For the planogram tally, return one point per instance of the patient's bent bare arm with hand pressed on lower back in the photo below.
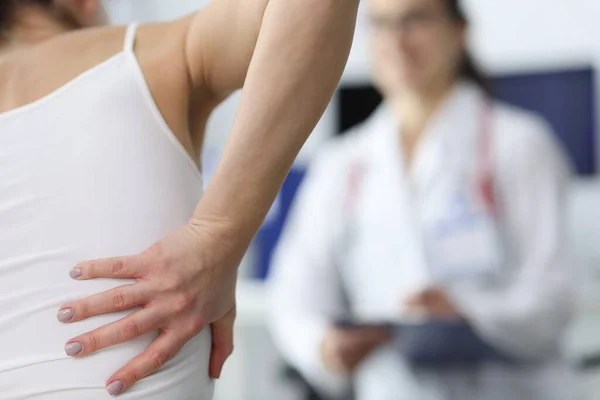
(188, 278)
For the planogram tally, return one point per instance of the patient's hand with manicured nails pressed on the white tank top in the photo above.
(183, 284)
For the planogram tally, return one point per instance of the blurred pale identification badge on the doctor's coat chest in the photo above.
(464, 242)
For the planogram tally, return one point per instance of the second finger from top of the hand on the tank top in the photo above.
(114, 300)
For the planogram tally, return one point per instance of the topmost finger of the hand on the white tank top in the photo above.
(130, 267)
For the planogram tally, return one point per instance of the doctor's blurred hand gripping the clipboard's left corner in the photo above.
(343, 349)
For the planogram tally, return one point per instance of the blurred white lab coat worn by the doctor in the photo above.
(524, 310)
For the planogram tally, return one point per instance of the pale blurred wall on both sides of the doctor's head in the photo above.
(515, 34)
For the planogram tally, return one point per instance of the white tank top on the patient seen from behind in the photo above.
(89, 171)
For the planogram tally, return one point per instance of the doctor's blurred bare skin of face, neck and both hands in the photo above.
(415, 50)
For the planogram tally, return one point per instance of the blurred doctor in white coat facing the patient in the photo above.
(443, 202)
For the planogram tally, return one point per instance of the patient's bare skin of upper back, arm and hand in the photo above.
(289, 56)
